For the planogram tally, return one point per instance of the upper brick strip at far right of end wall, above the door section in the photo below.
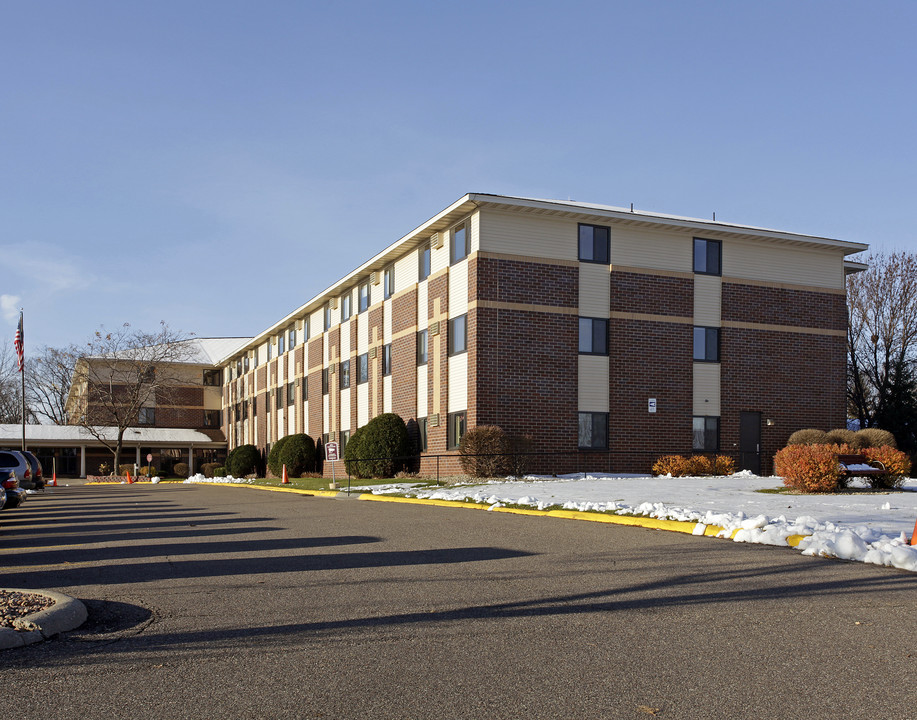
(800, 308)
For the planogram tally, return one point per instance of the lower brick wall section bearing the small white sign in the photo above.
(649, 360)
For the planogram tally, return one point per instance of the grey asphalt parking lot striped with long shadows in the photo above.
(224, 602)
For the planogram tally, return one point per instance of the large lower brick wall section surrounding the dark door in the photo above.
(795, 379)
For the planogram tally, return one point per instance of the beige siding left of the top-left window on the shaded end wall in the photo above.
(532, 236)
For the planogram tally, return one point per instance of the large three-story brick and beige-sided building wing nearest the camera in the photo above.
(607, 335)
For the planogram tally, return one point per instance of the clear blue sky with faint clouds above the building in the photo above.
(215, 164)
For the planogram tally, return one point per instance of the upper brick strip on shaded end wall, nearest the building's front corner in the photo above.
(522, 282)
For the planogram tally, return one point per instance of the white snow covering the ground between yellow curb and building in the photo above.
(869, 527)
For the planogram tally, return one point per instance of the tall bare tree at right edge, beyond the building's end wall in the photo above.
(882, 345)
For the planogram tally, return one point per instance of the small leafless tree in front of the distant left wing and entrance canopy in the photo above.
(121, 378)
